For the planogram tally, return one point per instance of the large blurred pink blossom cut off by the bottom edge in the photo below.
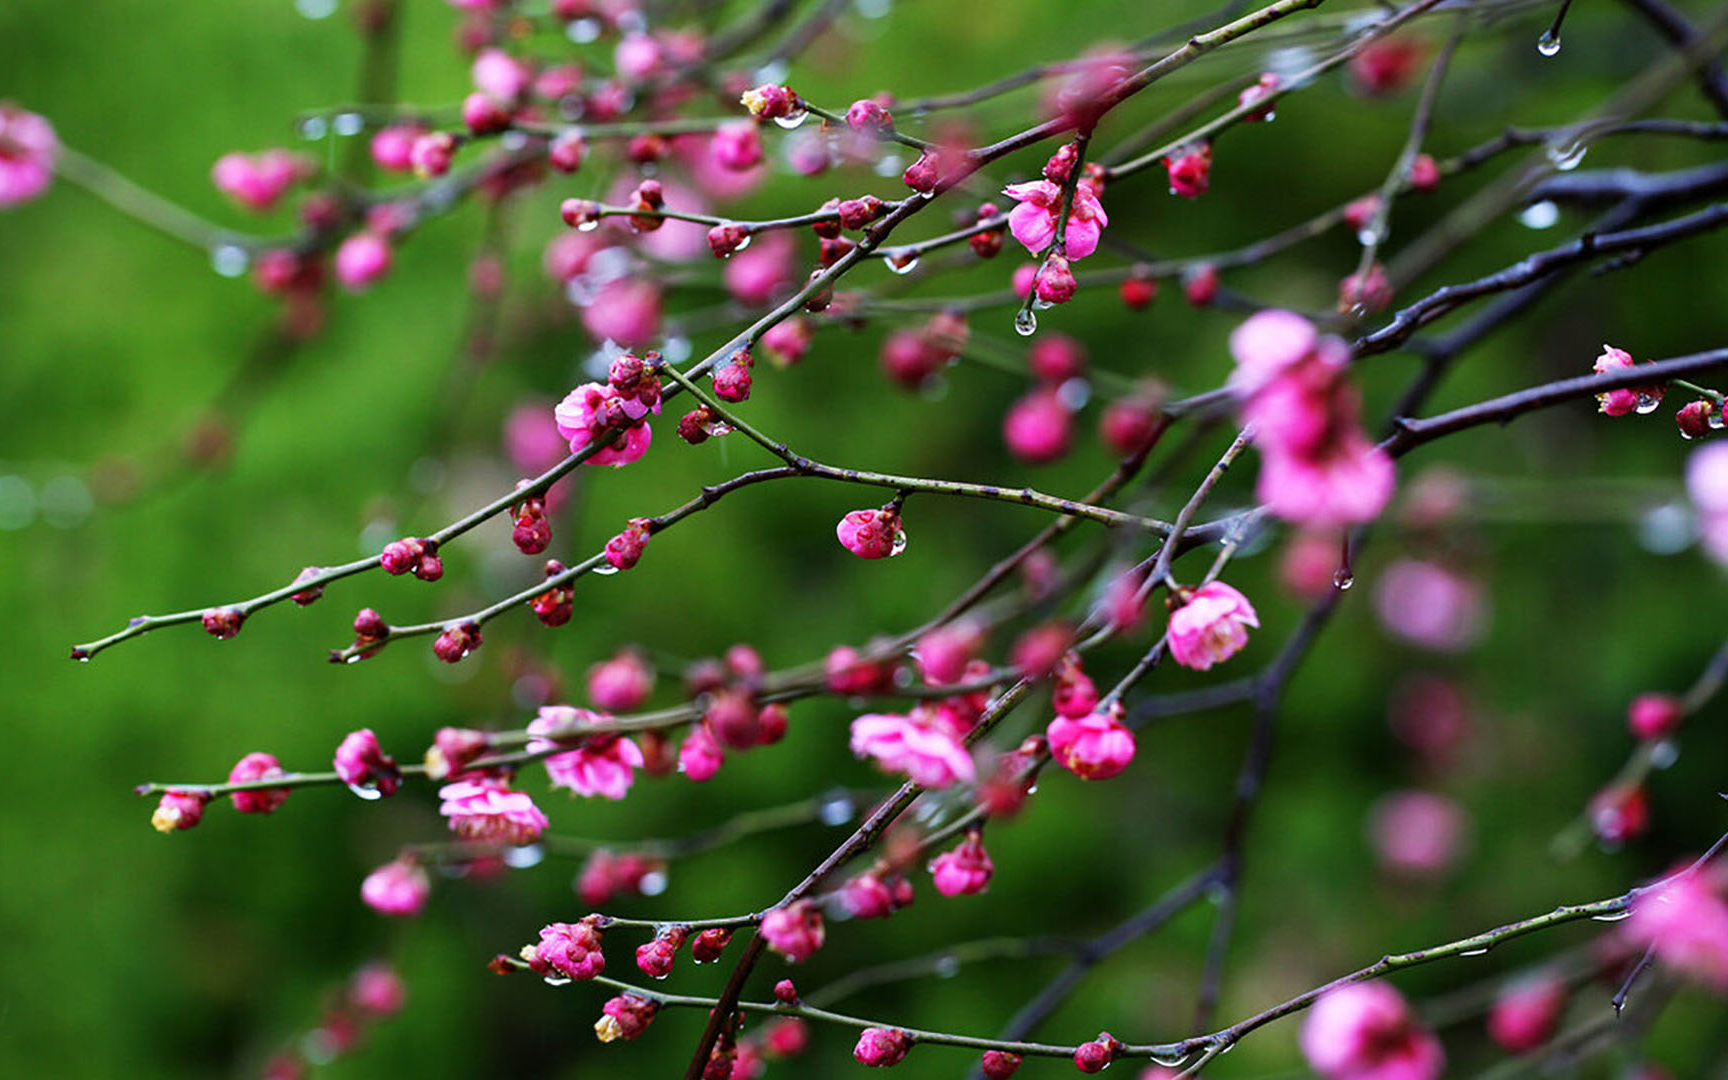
(1366, 1032)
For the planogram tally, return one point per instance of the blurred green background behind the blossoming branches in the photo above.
(203, 955)
